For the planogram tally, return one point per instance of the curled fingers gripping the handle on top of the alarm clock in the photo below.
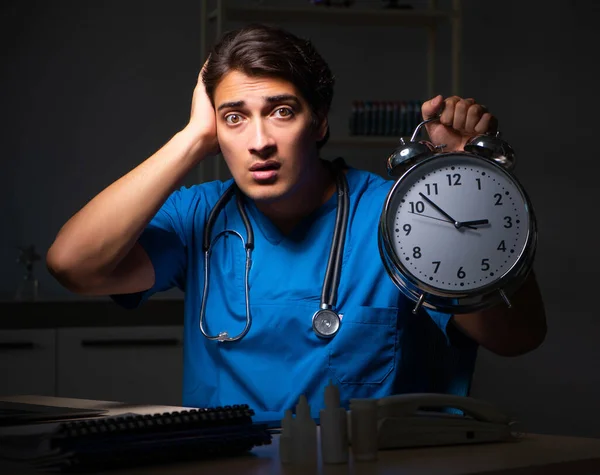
(467, 117)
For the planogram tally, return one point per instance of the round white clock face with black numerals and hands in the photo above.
(458, 223)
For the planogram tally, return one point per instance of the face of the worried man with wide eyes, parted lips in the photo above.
(265, 135)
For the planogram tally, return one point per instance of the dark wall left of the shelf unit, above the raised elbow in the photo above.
(88, 90)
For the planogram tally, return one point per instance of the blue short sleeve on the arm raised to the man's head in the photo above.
(164, 240)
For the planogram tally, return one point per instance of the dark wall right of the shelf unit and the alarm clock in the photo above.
(532, 61)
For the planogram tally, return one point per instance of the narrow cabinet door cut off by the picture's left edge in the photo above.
(27, 362)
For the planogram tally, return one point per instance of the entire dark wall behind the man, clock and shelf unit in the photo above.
(89, 89)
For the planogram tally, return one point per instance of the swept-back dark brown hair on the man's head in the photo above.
(269, 51)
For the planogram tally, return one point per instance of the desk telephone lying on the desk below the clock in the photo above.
(418, 419)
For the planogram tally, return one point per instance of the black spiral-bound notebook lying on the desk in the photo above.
(134, 439)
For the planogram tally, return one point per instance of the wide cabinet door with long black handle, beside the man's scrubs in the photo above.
(141, 365)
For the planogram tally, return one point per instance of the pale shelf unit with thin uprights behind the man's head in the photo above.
(217, 13)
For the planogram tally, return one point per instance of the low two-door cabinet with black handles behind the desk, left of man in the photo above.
(142, 365)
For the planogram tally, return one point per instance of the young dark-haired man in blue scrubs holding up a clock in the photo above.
(262, 100)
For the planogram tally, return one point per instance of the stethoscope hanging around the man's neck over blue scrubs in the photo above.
(326, 321)
